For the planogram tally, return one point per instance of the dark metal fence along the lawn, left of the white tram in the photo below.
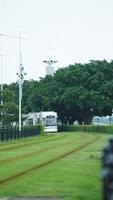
(13, 133)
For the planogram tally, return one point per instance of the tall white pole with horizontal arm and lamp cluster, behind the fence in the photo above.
(20, 73)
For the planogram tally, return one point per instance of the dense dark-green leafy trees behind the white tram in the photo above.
(77, 92)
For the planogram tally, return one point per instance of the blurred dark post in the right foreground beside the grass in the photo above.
(107, 164)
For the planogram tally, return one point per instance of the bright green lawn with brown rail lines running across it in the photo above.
(64, 165)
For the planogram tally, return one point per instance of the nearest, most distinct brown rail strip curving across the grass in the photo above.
(49, 161)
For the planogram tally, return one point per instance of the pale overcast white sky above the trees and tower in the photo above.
(78, 31)
